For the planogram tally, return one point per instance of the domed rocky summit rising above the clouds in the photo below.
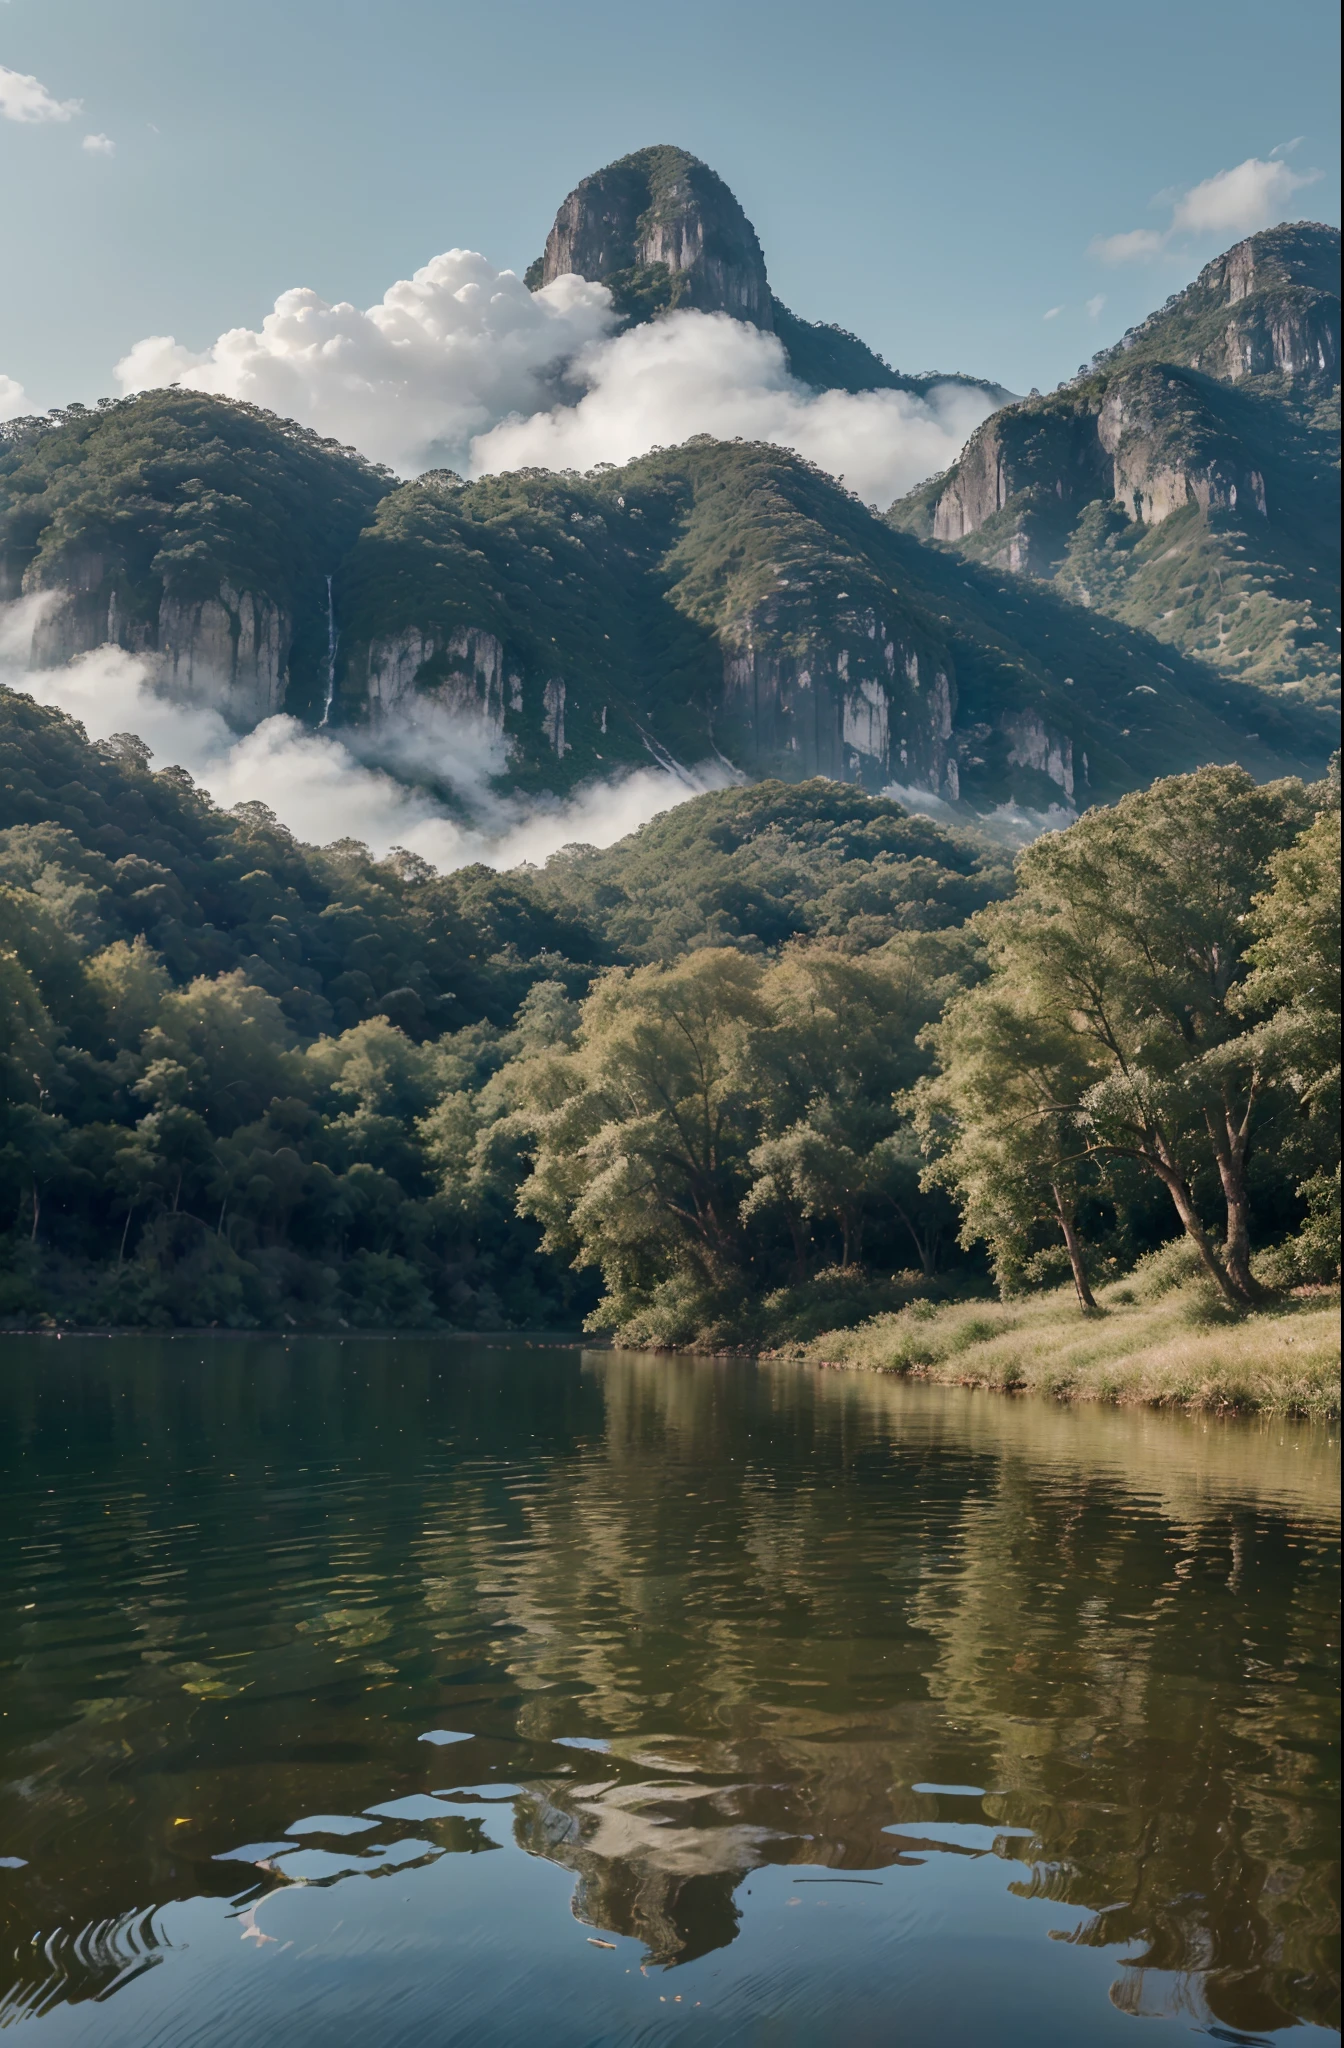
(663, 212)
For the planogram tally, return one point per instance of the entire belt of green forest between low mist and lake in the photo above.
(782, 1060)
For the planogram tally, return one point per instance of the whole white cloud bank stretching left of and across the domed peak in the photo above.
(466, 368)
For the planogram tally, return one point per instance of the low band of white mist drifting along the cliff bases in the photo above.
(339, 785)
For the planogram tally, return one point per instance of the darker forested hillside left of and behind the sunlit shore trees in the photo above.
(243, 1078)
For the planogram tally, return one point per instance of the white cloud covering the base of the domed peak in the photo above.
(706, 374)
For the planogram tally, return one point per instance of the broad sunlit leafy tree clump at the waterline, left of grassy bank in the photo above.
(728, 1123)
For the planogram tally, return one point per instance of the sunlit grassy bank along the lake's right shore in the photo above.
(1152, 1342)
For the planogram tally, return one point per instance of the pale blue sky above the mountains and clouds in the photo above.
(933, 177)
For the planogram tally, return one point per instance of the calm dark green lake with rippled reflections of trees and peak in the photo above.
(403, 1693)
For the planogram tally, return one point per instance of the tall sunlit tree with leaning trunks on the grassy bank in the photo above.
(1130, 935)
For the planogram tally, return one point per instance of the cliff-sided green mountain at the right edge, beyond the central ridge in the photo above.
(1187, 480)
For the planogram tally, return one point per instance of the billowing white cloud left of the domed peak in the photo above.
(444, 357)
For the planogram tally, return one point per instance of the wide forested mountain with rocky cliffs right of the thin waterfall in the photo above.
(724, 601)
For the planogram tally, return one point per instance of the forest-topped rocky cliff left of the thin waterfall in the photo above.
(192, 531)
